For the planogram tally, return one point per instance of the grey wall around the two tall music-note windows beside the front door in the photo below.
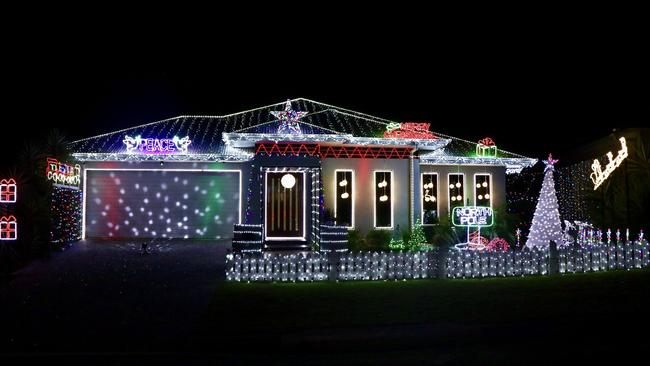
(363, 194)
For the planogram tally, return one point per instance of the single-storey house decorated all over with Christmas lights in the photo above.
(279, 170)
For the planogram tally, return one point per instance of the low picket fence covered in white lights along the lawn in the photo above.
(320, 266)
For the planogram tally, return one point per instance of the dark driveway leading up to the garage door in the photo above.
(99, 296)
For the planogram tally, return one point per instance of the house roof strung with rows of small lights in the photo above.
(207, 135)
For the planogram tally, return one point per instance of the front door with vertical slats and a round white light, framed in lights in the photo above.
(285, 206)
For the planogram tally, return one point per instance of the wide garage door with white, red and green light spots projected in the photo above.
(162, 204)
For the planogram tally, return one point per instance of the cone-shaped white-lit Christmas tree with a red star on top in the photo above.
(546, 221)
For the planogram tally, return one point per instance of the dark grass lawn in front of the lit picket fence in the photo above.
(573, 308)
